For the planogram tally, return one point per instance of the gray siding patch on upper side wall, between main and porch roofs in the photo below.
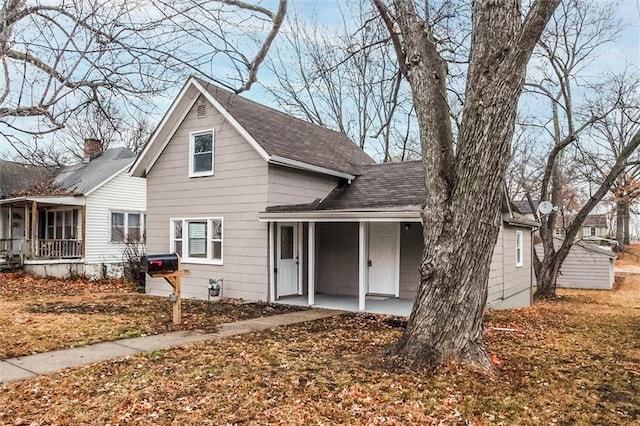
(290, 186)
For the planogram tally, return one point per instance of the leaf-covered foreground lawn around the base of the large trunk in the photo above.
(575, 360)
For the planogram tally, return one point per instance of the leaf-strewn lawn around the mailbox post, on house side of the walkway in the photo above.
(39, 315)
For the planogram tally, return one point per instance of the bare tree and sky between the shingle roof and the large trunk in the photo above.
(347, 80)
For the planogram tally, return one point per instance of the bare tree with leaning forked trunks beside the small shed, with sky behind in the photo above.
(577, 31)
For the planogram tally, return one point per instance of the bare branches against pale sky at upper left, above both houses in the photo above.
(60, 59)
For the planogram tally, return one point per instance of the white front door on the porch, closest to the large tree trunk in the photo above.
(384, 254)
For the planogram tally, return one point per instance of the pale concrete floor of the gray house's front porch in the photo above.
(373, 304)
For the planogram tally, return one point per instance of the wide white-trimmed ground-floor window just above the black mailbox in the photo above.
(197, 240)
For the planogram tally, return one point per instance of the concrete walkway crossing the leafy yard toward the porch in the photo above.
(20, 368)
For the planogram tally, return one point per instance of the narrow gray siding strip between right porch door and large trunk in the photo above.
(411, 247)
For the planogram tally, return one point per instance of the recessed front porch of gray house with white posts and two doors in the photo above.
(355, 265)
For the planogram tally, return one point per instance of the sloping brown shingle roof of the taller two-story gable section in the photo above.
(286, 136)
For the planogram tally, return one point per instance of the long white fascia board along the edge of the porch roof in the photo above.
(410, 214)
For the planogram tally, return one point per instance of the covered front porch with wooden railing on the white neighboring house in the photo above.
(42, 228)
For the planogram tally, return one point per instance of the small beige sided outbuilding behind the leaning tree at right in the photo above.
(587, 266)
